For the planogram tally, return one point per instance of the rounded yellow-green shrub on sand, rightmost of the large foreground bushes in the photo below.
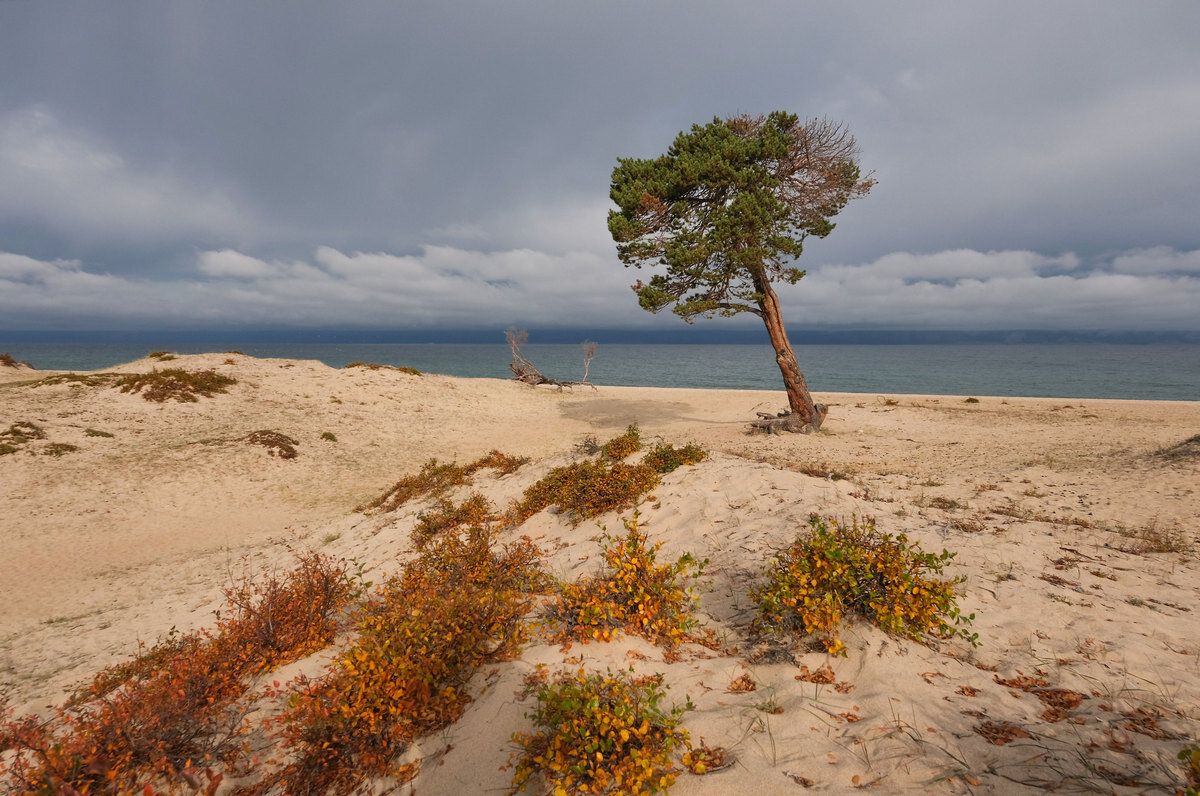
(855, 570)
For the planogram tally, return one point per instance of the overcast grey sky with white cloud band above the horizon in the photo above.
(447, 165)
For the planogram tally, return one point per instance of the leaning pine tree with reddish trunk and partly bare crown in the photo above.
(727, 212)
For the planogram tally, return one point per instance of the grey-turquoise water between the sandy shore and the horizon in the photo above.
(1051, 370)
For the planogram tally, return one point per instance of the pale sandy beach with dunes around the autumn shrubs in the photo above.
(1075, 526)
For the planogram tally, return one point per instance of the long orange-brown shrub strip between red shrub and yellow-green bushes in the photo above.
(458, 606)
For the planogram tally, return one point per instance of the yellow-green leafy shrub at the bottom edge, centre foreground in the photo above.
(599, 734)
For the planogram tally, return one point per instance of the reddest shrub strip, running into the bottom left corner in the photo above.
(151, 721)
